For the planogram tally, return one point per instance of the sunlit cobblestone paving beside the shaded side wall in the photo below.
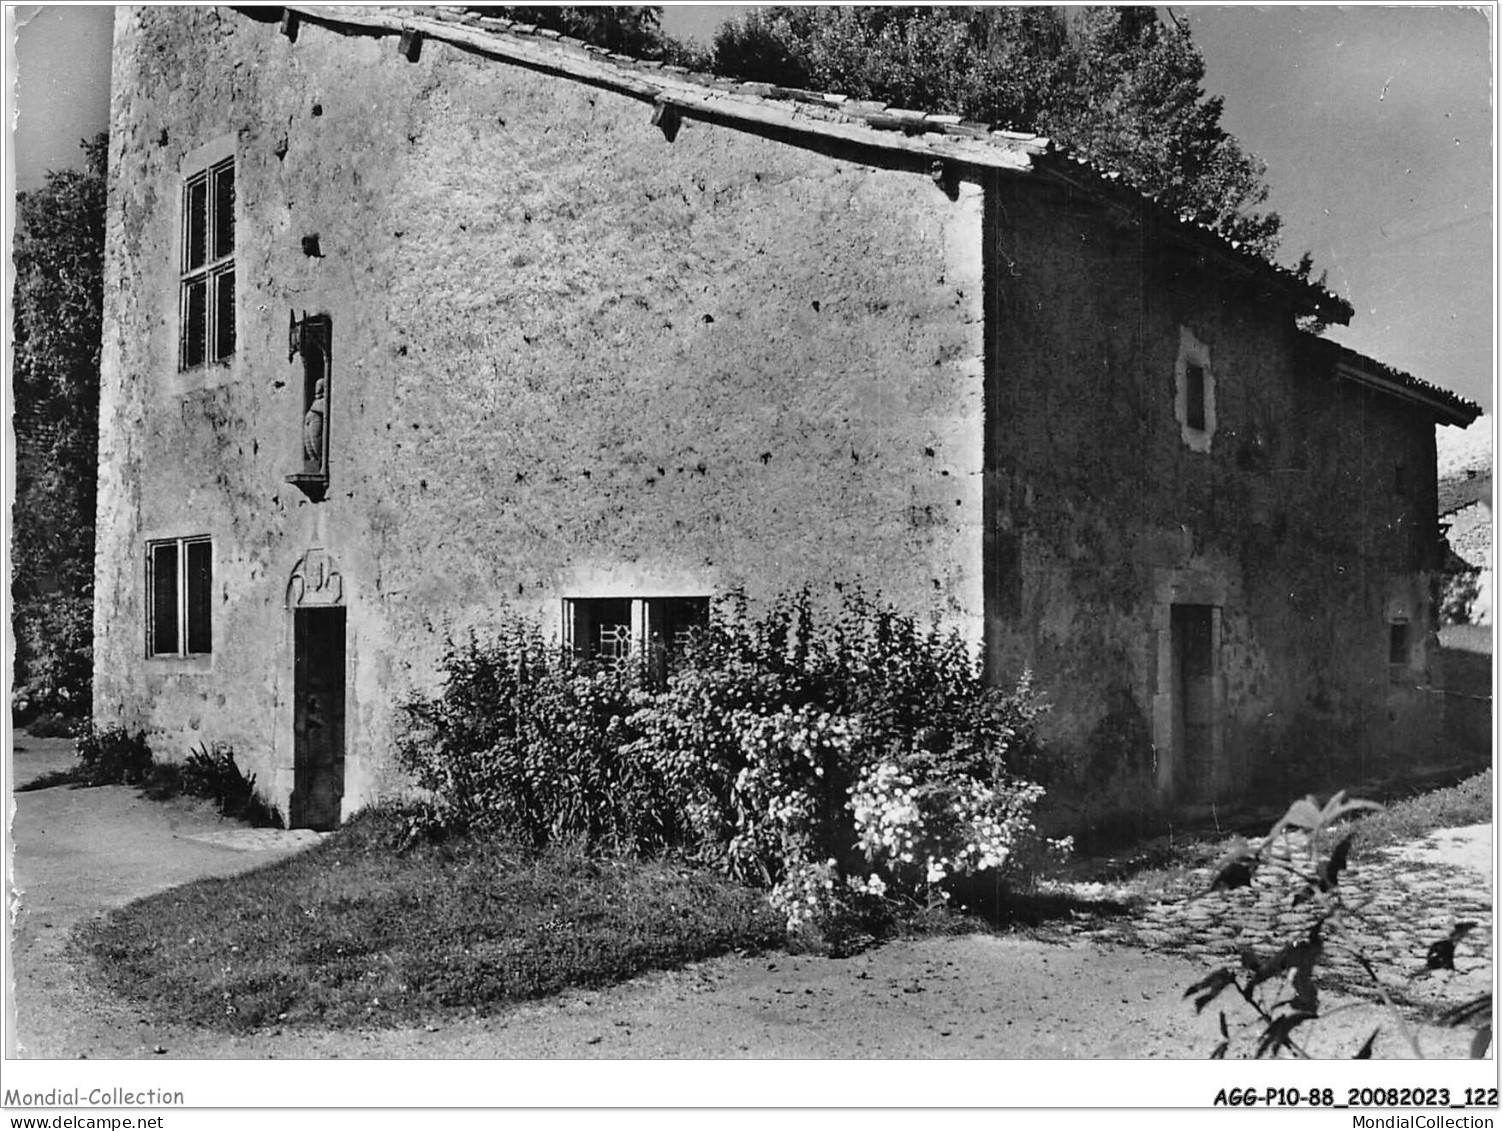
(1396, 909)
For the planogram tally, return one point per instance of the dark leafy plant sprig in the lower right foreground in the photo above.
(1281, 987)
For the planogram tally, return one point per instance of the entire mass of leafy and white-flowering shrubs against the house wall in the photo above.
(835, 759)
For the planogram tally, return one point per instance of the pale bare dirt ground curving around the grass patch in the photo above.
(79, 854)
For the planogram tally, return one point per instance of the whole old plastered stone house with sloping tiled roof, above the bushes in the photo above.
(414, 321)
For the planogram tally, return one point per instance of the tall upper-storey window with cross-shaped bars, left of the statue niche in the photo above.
(208, 267)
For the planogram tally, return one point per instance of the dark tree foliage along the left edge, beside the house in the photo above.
(58, 303)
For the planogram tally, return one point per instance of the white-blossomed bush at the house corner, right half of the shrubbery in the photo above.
(844, 762)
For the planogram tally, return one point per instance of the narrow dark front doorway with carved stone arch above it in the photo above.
(318, 628)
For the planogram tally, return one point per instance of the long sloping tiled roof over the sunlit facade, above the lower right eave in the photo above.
(875, 126)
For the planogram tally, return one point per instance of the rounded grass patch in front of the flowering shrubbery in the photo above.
(355, 935)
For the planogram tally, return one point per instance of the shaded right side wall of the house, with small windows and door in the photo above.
(1295, 524)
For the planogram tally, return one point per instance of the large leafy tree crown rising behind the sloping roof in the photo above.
(1114, 85)
